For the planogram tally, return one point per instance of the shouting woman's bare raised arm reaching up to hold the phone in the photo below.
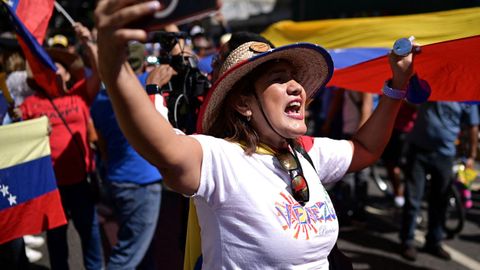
(178, 157)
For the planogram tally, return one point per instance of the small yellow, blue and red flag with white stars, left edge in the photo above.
(29, 199)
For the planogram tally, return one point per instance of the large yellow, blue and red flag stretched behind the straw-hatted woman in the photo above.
(358, 46)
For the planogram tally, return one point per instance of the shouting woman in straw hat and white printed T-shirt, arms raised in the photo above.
(256, 180)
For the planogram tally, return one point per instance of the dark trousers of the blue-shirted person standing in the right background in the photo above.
(419, 164)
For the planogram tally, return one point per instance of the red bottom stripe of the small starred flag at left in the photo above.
(32, 217)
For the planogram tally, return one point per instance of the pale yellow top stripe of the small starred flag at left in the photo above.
(23, 141)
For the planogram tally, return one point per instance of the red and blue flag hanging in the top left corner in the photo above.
(27, 17)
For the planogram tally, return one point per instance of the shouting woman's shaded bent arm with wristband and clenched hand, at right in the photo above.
(371, 139)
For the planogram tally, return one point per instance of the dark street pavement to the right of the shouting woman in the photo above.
(374, 244)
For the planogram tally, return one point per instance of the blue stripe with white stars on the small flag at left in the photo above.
(26, 181)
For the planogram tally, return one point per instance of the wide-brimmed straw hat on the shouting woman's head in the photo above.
(313, 64)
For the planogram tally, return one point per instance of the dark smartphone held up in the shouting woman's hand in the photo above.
(177, 12)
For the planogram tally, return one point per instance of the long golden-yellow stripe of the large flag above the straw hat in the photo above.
(378, 31)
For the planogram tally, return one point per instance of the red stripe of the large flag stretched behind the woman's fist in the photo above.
(450, 67)
